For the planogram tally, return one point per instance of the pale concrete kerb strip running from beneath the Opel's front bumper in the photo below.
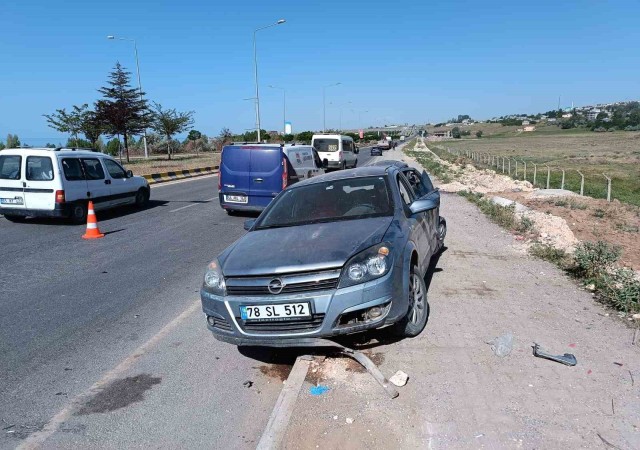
(281, 414)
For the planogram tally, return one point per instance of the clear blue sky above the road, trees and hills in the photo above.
(403, 61)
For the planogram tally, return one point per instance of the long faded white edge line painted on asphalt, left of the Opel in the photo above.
(38, 438)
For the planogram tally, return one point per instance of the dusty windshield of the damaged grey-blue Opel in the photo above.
(349, 199)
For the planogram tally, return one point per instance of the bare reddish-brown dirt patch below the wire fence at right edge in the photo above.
(593, 220)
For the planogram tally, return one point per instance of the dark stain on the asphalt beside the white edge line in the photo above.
(119, 394)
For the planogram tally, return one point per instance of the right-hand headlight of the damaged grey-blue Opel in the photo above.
(367, 265)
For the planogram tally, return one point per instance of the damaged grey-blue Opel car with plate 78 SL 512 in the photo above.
(336, 254)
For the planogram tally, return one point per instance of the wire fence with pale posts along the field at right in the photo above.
(541, 175)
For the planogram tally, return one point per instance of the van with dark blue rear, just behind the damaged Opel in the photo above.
(251, 175)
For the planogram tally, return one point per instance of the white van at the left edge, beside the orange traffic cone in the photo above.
(45, 182)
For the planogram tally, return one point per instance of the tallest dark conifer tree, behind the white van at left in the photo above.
(122, 111)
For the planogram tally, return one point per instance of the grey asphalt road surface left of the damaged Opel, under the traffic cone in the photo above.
(75, 312)
